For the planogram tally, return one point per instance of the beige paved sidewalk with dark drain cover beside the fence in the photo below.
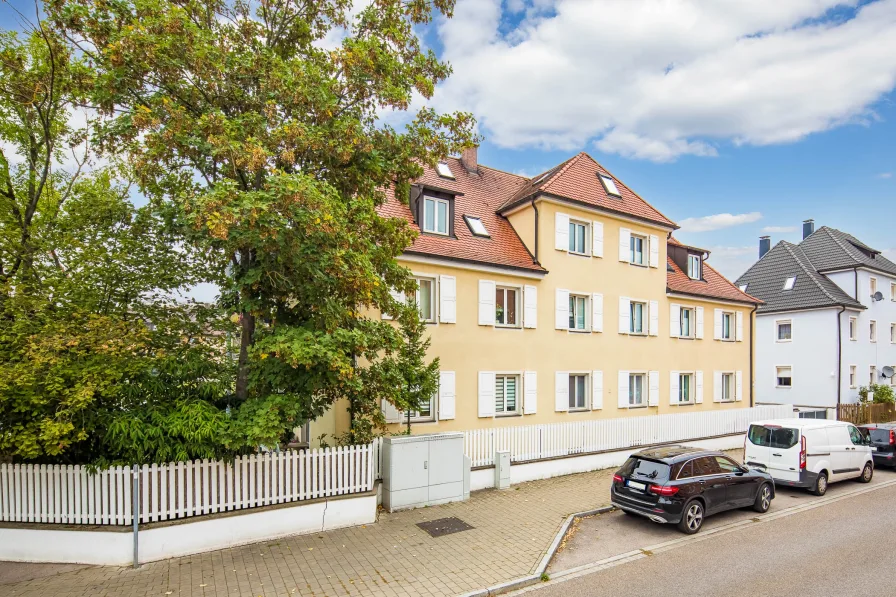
(511, 532)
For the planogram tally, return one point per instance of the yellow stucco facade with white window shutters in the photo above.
(475, 354)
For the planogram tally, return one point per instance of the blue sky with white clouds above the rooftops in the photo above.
(734, 118)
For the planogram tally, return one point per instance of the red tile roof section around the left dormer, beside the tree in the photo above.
(482, 194)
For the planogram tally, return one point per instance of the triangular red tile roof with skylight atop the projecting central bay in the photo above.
(577, 179)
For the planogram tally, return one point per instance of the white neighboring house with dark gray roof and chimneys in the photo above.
(827, 281)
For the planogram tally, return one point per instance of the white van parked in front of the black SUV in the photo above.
(809, 453)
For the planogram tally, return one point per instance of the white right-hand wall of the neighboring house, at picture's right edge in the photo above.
(863, 353)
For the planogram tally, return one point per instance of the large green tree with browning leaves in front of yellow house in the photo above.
(259, 124)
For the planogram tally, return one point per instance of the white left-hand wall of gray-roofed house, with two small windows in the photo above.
(811, 354)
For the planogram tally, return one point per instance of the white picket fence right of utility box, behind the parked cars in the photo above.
(536, 442)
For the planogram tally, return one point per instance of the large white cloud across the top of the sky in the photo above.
(657, 80)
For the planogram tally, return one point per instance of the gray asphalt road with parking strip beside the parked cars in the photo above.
(841, 548)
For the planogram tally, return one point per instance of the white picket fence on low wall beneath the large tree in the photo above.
(72, 495)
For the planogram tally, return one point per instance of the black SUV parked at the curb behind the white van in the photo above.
(681, 485)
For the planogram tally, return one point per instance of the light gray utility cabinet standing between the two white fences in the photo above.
(424, 470)
